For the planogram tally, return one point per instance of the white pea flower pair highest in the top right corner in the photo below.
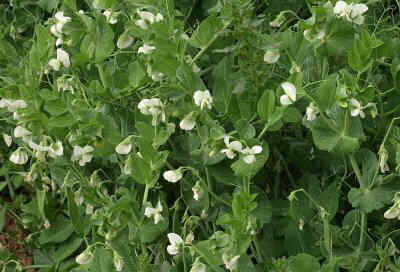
(351, 12)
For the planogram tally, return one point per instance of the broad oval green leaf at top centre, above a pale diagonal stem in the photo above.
(206, 31)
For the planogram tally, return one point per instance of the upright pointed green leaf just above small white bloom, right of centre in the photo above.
(325, 96)
